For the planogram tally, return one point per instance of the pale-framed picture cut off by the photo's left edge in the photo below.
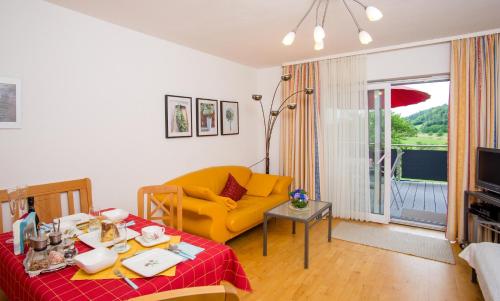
(10, 103)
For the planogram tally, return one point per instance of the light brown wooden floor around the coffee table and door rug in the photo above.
(345, 271)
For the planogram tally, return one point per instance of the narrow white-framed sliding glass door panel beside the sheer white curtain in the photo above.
(379, 109)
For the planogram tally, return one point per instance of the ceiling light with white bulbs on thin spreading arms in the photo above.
(372, 13)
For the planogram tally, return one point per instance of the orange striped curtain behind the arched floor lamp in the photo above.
(299, 128)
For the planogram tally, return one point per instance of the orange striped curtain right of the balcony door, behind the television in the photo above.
(473, 116)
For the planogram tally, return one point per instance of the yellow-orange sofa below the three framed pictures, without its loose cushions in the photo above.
(213, 220)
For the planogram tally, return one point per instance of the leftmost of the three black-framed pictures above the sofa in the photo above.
(178, 116)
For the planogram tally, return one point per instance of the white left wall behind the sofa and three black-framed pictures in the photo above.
(93, 104)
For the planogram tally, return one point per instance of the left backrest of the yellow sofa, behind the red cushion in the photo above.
(214, 178)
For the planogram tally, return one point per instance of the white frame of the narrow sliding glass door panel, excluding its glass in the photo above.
(386, 165)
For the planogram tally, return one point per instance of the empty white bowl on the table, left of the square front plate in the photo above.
(96, 260)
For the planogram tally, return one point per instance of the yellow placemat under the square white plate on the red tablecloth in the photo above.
(134, 247)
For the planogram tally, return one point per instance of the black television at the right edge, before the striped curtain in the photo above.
(488, 169)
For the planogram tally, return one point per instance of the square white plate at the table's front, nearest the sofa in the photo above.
(152, 262)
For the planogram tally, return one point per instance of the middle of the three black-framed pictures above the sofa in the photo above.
(206, 117)
